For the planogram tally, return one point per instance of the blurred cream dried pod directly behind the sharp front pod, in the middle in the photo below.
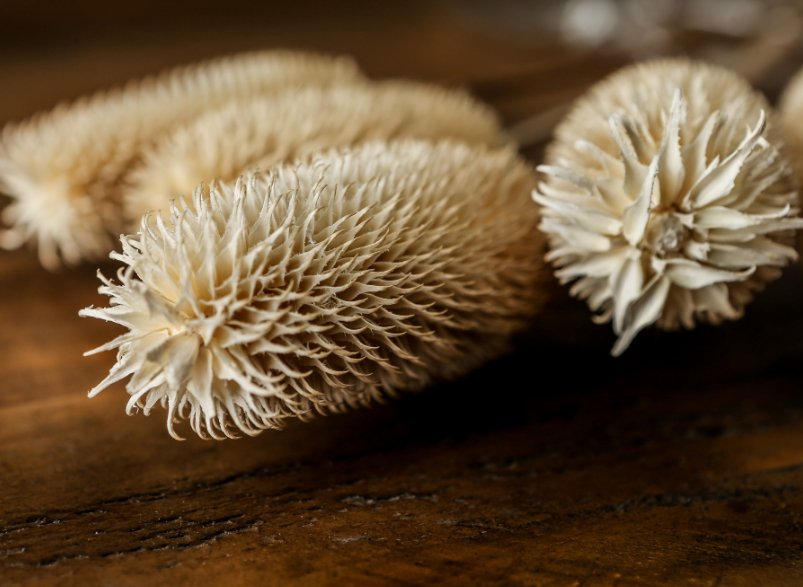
(256, 134)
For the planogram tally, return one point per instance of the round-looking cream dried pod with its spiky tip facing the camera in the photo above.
(665, 198)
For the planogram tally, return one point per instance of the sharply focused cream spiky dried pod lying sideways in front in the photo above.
(324, 284)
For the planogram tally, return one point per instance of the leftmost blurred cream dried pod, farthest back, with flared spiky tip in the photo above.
(63, 168)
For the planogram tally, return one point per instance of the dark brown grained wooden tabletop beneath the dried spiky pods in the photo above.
(679, 464)
